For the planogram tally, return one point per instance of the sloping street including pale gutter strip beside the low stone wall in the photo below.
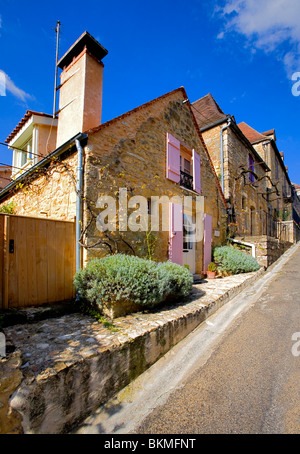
(237, 373)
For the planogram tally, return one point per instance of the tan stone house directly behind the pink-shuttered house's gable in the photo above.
(239, 167)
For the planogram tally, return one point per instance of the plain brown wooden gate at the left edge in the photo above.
(37, 259)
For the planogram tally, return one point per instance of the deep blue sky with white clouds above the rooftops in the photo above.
(246, 53)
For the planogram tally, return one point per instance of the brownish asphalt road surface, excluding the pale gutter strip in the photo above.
(250, 384)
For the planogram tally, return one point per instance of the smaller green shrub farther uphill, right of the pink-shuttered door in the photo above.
(233, 261)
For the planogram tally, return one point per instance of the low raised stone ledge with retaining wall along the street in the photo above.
(76, 352)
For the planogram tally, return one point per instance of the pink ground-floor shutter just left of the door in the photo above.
(176, 234)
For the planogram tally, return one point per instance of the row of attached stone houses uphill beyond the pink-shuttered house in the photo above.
(255, 184)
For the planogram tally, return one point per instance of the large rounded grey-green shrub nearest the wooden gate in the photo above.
(126, 278)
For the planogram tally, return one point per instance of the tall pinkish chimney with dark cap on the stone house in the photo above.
(80, 97)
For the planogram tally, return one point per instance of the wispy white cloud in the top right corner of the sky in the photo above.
(270, 25)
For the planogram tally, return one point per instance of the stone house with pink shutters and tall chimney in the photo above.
(152, 156)
